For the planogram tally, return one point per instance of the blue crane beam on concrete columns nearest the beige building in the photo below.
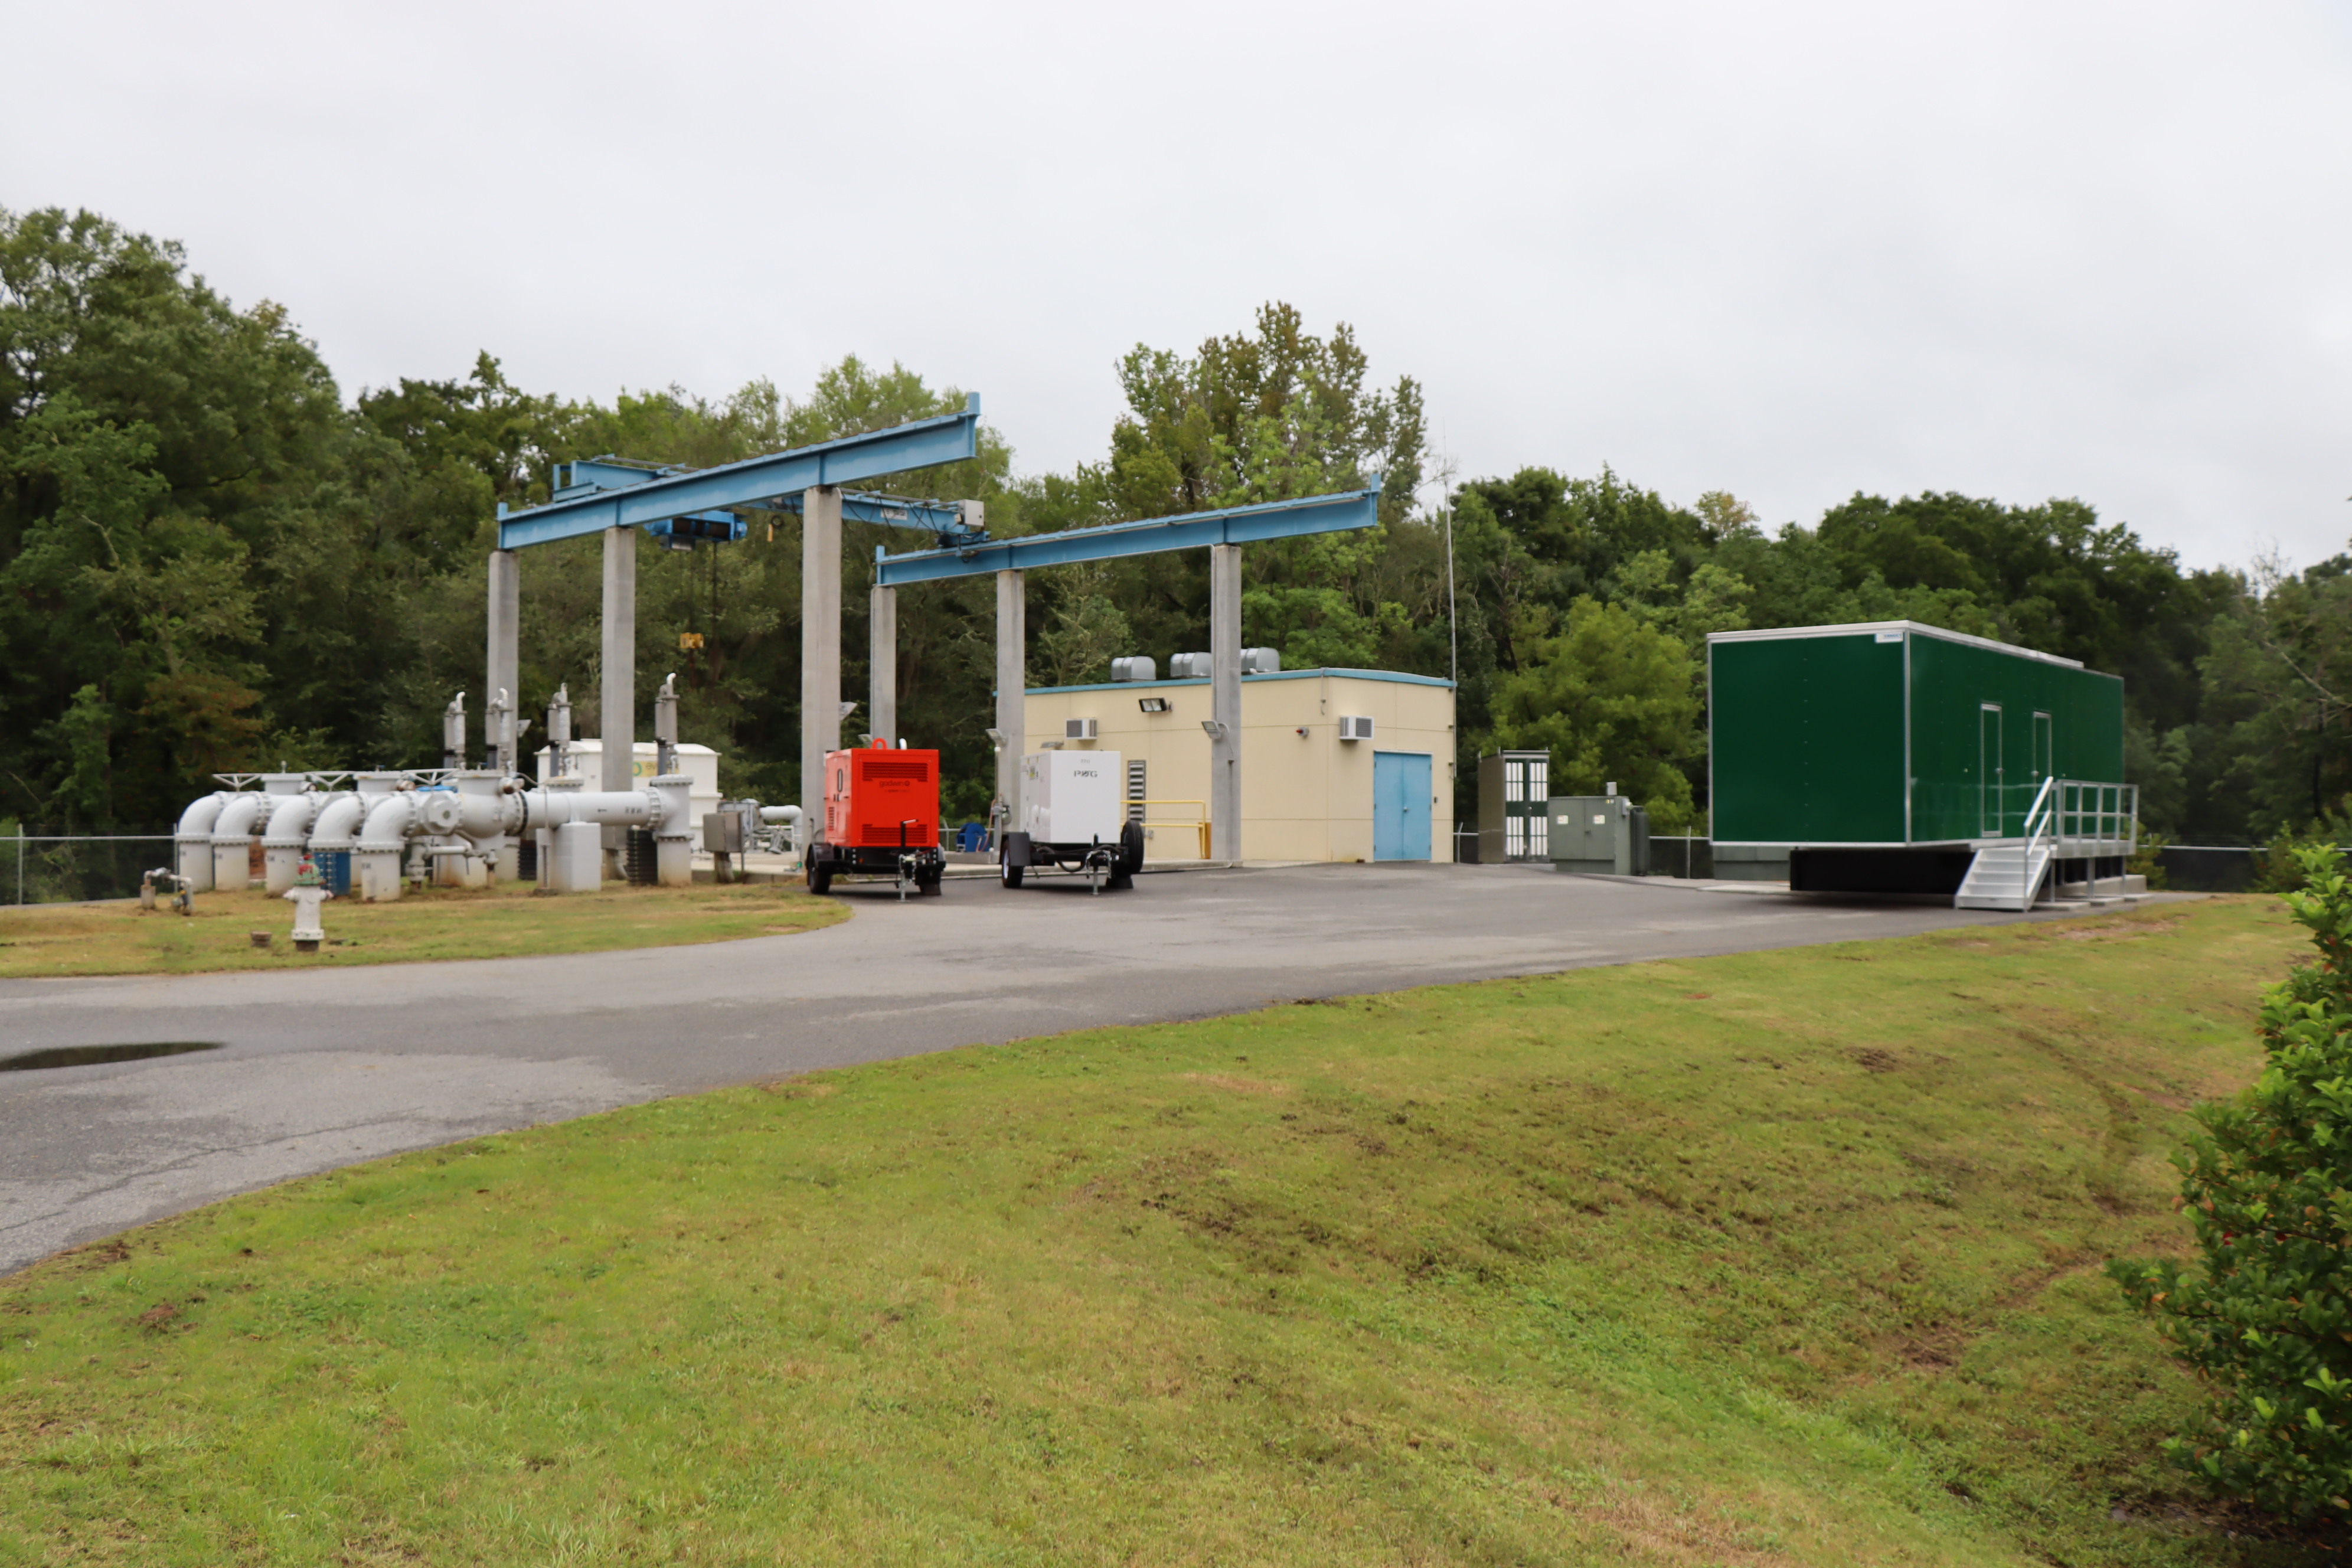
(1222, 532)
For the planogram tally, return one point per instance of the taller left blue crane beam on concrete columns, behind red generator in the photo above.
(613, 497)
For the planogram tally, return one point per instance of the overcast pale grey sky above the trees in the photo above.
(1791, 253)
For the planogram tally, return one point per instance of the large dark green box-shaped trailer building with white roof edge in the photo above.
(1897, 735)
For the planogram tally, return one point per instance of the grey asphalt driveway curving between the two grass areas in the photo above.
(326, 1068)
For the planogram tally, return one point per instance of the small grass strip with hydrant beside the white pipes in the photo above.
(497, 923)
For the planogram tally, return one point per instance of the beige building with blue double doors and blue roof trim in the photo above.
(1337, 765)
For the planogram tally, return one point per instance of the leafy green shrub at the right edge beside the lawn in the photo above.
(2264, 1318)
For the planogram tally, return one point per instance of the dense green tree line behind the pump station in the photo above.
(211, 561)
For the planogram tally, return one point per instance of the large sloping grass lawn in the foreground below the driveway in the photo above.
(1777, 1259)
